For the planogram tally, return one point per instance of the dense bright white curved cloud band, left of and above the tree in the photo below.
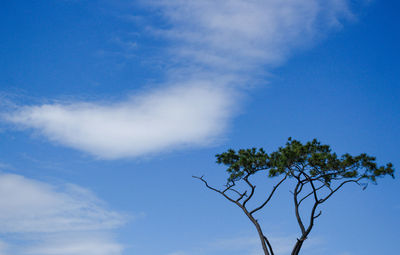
(189, 114)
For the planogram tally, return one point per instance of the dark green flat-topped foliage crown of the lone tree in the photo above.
(311, 159)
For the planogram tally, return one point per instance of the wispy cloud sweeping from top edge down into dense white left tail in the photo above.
(216, 45)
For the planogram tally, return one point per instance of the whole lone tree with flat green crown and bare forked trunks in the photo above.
(313, 173)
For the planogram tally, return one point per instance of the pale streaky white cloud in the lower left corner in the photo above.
(39, 218)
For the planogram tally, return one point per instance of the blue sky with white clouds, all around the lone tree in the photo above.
(109, 107)
